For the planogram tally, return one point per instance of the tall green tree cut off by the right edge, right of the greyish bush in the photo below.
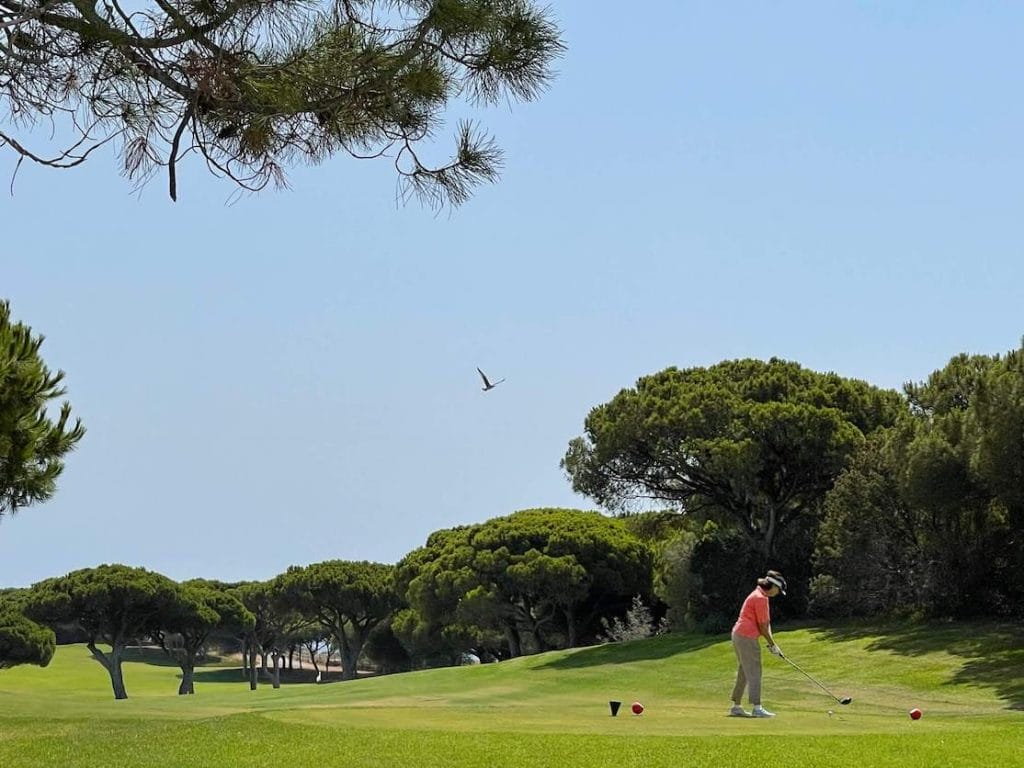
(961, 464)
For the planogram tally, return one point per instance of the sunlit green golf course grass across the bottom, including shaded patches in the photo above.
(550, 710)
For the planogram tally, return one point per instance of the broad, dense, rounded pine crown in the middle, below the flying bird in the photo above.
(538, 579)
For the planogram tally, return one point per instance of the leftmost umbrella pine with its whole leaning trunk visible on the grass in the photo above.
(114, 605)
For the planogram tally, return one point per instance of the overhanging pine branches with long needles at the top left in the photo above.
(251, 87)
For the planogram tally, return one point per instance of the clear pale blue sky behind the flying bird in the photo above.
(292, 378)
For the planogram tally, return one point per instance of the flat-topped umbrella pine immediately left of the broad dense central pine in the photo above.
(348, 600)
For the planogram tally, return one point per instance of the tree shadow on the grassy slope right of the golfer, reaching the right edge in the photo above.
(994, 654)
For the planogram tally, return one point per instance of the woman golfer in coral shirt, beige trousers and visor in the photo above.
(754, 623)
